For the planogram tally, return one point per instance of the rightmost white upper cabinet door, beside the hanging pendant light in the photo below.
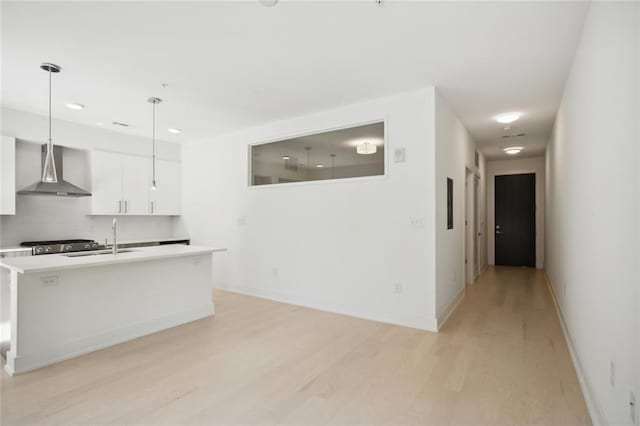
(166, 199)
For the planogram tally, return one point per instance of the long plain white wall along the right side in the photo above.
(592, 209)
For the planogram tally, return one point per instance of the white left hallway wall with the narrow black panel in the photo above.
(454, 152)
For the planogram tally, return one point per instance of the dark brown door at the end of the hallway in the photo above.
(515, 209)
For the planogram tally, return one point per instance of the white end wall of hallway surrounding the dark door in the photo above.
(512, 167)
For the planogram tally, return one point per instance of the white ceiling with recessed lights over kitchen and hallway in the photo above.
(235, 64)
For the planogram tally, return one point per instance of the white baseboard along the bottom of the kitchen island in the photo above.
(23, 363)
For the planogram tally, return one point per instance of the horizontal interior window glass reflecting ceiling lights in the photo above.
(337, 154)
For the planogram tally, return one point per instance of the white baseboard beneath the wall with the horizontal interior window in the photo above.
(412, 321)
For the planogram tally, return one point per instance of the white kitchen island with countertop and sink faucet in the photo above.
(65, 305)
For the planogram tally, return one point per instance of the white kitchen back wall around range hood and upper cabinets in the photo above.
(43, 217)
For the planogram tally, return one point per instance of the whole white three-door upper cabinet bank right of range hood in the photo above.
(121, 185)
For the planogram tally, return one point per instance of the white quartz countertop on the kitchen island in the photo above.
(53, 262)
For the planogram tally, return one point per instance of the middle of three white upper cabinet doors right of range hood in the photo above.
(135, 184)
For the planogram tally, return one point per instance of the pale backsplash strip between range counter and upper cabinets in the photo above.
(49, 218)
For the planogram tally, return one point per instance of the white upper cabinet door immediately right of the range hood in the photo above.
(106, 183)
